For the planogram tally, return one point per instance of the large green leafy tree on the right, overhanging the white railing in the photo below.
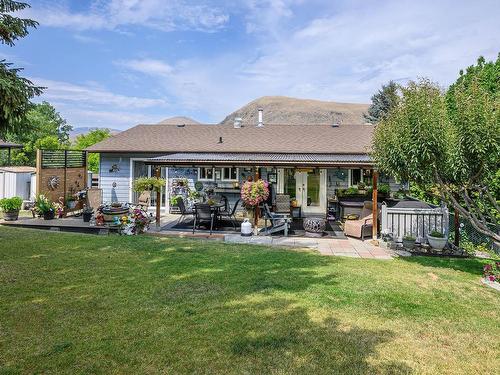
(452, 142)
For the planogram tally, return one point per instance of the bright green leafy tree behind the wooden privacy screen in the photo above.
(43, 128)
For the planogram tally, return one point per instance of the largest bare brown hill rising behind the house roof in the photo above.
(285, 110)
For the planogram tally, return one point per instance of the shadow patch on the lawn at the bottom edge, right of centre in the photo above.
(280, 338)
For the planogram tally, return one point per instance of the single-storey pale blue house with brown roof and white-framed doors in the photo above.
(311, 163)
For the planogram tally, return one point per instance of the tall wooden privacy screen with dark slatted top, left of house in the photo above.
(60, 173)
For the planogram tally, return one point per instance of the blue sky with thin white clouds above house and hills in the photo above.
(117, 63)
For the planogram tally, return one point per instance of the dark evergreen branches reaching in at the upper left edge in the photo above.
(15, 91)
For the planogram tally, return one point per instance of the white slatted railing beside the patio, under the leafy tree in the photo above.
(416, 222)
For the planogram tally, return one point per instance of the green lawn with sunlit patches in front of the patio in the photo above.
(74, 303)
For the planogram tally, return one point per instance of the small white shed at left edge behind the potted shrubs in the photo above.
(16, 181)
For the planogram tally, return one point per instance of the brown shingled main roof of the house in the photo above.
(274, 138)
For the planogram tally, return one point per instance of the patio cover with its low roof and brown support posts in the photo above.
(257, 161)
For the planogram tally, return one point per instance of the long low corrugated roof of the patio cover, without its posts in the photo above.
(262, 159)
